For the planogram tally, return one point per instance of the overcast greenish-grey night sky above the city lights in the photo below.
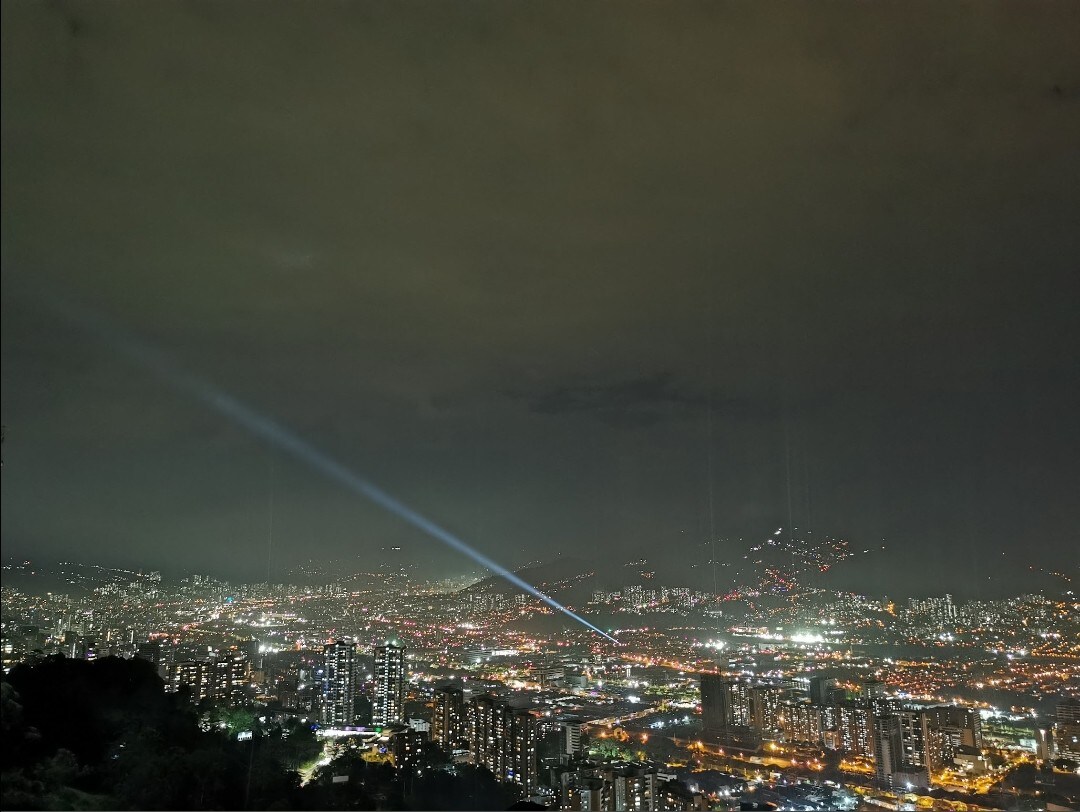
(504, 259)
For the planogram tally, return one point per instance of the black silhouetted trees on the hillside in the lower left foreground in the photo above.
(105, 735)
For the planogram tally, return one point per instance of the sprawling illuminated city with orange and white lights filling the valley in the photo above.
(807, 699)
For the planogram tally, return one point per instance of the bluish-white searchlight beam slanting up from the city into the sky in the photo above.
(280, 437)
